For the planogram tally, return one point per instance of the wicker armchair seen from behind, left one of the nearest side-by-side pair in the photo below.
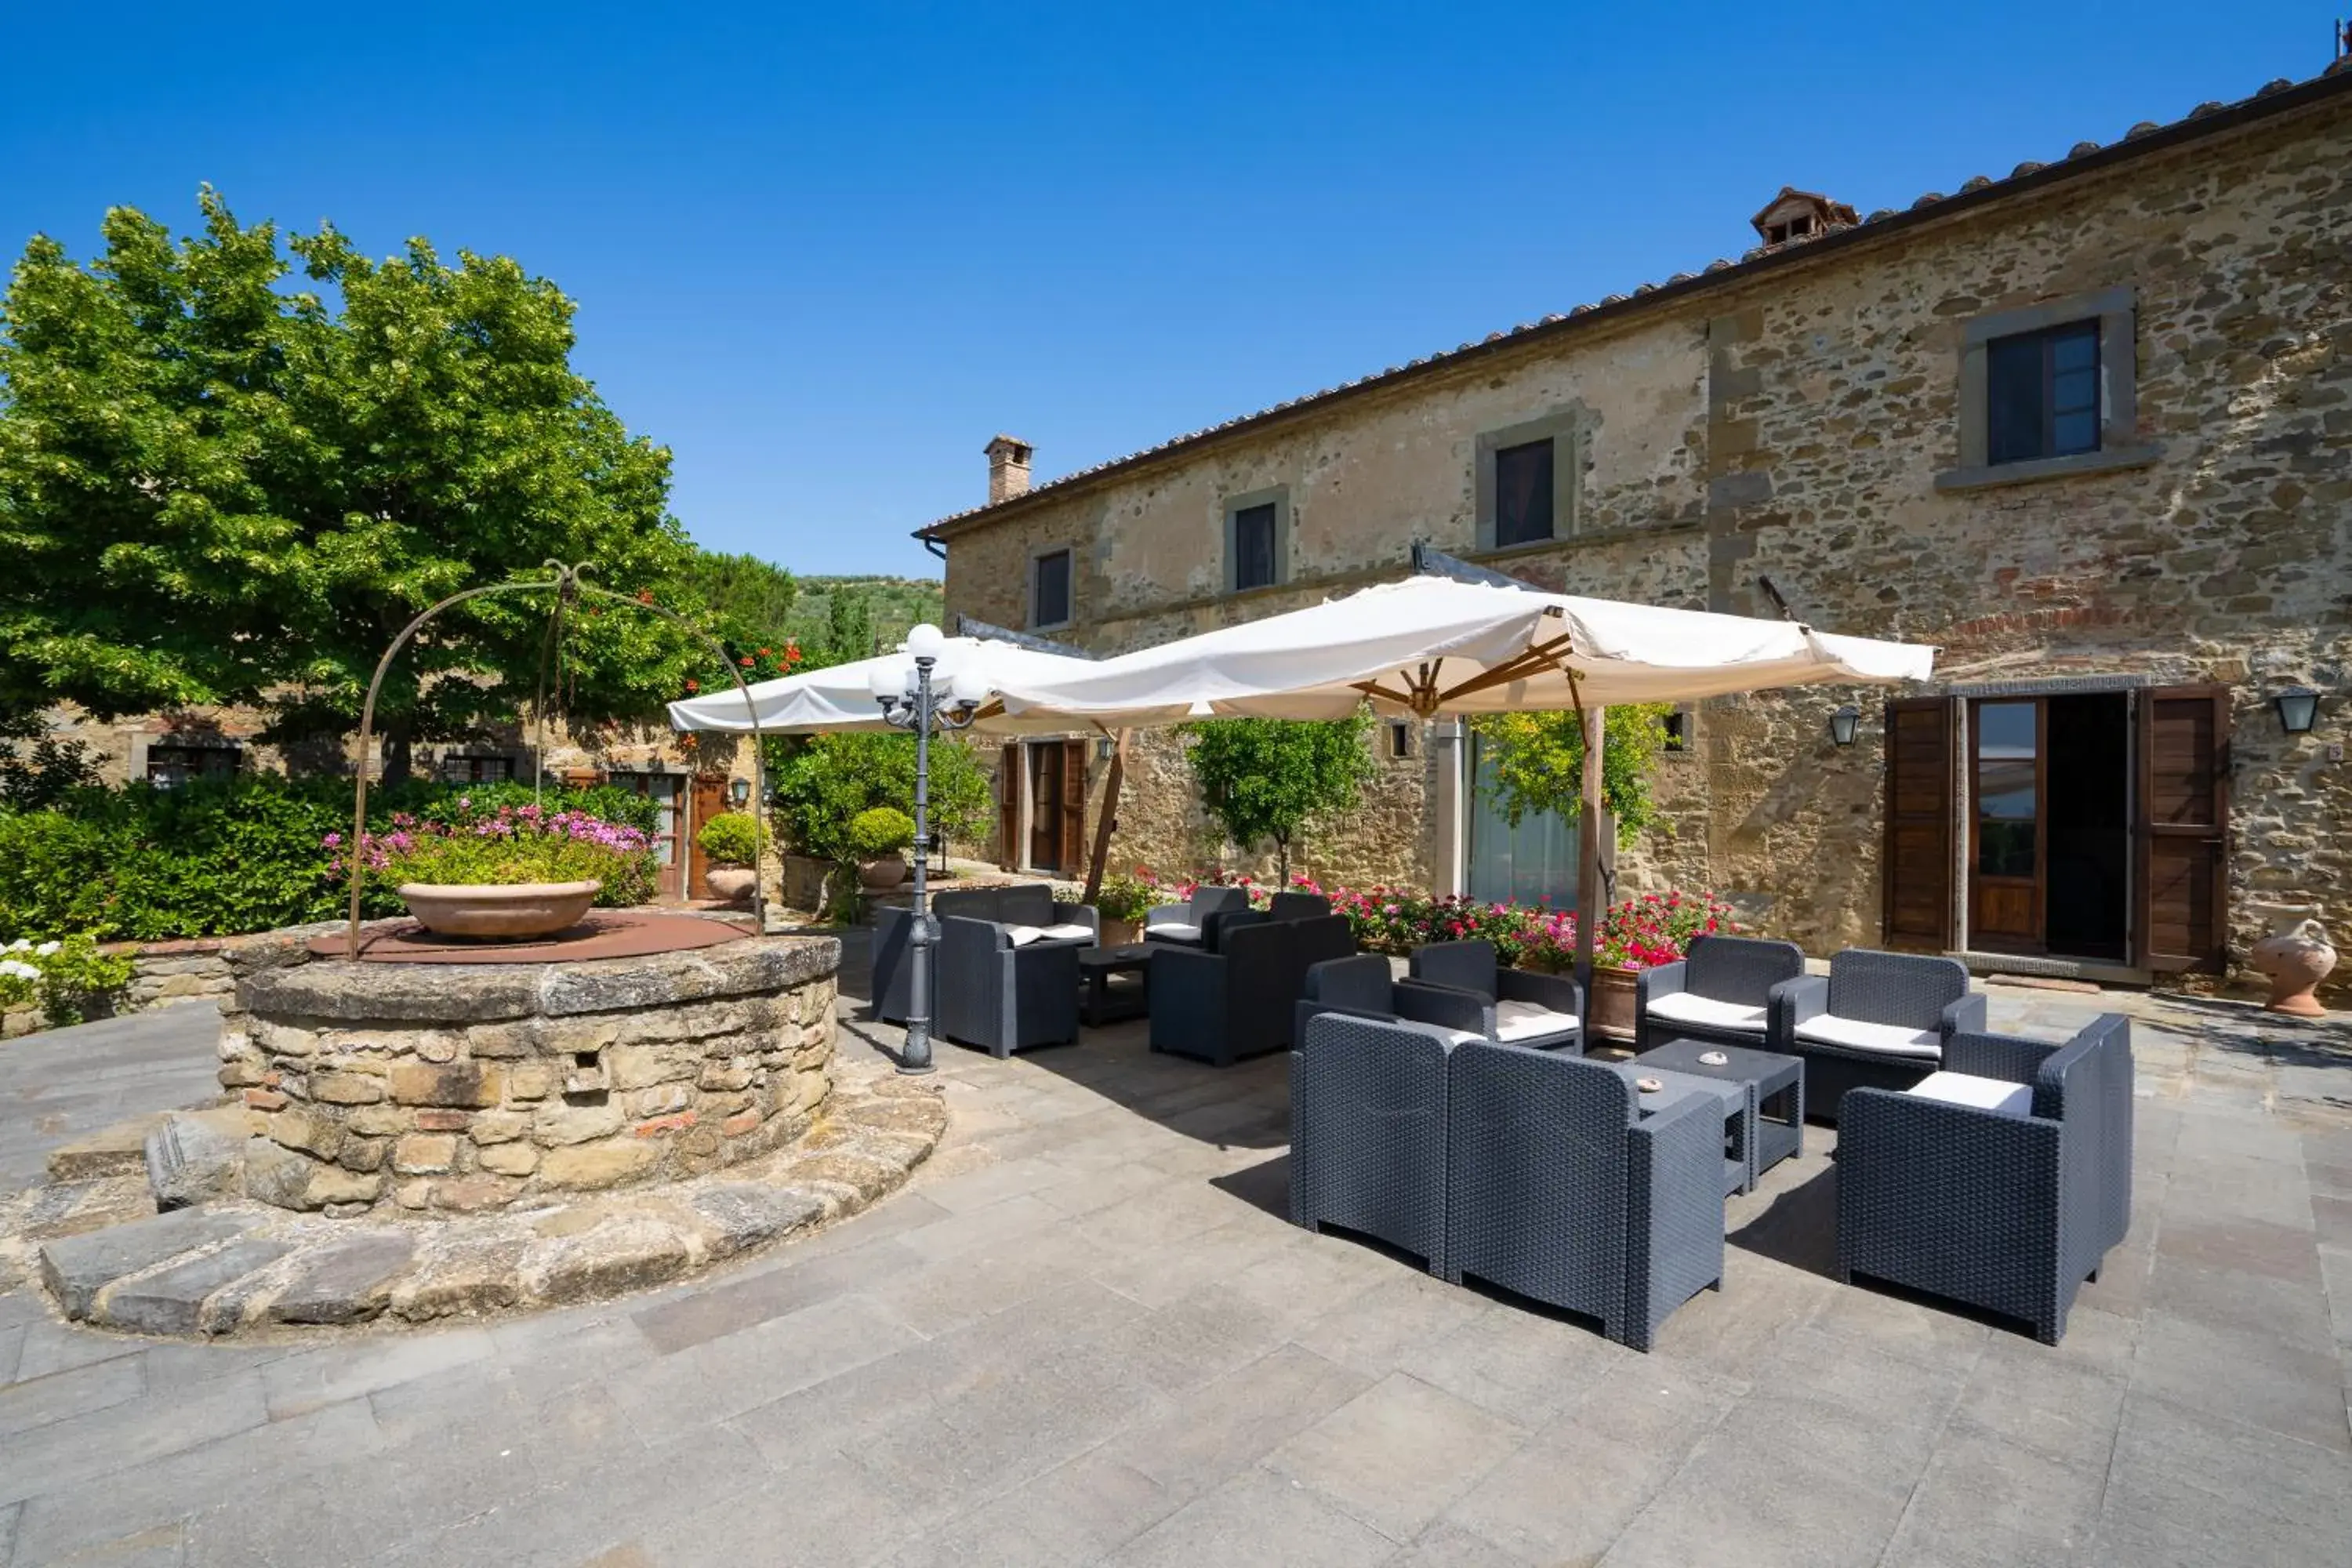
(1370, 1130)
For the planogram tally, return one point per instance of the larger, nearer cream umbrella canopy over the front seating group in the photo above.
(1438, 645)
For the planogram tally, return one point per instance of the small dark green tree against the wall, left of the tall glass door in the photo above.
(1267, 779)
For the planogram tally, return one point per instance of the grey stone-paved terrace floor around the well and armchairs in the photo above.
(1088, 1336)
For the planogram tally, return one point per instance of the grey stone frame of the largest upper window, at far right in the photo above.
(2118, 391)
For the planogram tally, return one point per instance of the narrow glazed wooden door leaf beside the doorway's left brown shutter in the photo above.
(2007, 843)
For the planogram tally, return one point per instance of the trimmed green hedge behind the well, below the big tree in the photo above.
(220, 857)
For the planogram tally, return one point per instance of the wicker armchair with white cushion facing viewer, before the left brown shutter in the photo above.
(1876, 1021)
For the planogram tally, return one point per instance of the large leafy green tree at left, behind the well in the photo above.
(215, 490)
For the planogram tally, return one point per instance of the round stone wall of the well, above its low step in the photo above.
(460, 1090)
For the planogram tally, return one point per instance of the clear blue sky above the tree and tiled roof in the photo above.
(827, 253)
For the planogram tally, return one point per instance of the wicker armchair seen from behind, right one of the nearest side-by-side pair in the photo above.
(1561, 1188)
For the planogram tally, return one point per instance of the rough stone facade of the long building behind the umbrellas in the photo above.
(1798, 417)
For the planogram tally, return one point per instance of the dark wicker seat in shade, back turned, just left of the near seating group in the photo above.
(1236, 1003)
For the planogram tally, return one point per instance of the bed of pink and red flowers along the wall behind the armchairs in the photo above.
(1638, 932)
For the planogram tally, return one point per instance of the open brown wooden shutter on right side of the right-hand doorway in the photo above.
(2184, 829)
